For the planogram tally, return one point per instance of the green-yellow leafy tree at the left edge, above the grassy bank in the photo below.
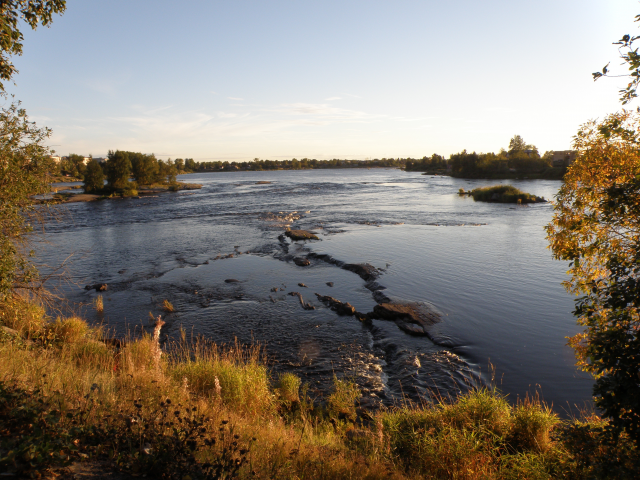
(25, 164)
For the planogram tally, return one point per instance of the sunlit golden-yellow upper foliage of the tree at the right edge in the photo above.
(608, 155)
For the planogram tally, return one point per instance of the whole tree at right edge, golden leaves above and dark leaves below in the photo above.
(596, 227)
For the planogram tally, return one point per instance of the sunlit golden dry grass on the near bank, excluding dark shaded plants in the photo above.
(478, 436)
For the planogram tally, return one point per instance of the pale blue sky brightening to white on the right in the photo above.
(278, 79)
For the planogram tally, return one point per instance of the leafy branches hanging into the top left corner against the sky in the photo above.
(33, 13)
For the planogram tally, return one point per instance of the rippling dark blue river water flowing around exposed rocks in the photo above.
(484, 266)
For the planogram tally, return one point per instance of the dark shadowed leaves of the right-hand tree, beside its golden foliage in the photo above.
(611, 313)
